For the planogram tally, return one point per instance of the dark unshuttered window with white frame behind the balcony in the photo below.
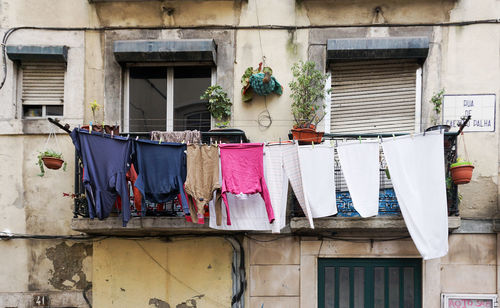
(166, 98)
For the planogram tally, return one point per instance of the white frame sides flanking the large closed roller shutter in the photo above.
(418, 100)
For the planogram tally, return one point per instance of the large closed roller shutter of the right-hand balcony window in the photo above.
(374, 96)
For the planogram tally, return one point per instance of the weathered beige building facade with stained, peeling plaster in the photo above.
(165, 262)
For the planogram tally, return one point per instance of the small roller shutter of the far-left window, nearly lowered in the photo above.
(43, 84)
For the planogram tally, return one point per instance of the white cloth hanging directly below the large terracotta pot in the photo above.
(317, 166)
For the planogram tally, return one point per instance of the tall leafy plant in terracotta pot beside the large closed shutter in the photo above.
(307, 93)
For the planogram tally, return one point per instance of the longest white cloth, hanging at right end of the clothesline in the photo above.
(417, 169)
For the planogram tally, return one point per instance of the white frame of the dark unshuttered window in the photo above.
(170, 92)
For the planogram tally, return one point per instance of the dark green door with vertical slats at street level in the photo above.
(369, 283)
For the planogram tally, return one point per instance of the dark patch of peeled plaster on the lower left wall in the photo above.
(68, 265)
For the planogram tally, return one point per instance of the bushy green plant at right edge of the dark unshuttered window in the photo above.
(218, 104)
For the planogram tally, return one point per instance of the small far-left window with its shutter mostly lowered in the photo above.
(42, 90)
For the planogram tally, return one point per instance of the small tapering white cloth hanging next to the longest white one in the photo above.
(361, 168)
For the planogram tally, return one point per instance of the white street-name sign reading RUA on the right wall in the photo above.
(480, 107)
